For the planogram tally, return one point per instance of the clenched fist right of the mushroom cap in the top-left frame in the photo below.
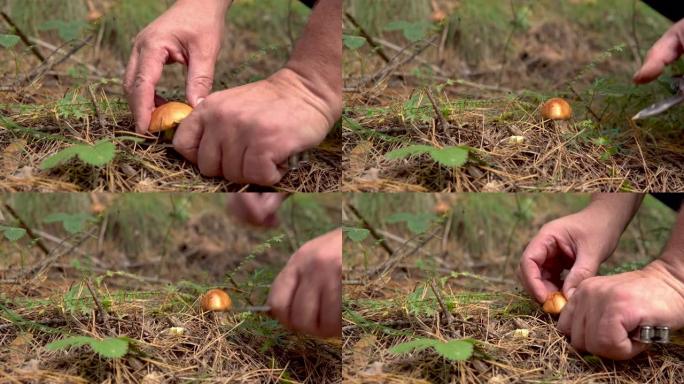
(247, 134)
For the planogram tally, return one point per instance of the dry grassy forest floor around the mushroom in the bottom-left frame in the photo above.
(144, 295)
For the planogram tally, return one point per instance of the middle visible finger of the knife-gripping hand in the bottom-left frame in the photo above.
(305, 307)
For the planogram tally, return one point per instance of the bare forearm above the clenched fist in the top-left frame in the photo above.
(317, 56)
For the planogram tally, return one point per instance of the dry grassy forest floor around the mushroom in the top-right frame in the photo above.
(488, 88)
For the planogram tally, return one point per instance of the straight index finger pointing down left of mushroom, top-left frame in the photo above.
(148, 73)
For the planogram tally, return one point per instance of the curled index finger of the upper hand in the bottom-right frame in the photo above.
(535, 255)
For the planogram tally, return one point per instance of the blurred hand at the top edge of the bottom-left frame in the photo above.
(259, 209)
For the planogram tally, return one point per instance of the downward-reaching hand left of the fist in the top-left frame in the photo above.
(187, 34)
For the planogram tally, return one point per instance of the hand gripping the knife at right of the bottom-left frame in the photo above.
(307, 294)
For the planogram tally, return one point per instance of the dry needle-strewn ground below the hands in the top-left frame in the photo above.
(30, 137)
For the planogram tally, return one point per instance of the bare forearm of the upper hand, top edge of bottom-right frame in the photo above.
(616, 210)
